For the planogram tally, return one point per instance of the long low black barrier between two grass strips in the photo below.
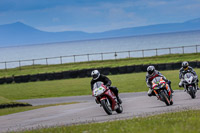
(86, 72)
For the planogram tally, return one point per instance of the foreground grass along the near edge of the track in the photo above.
(178, 122)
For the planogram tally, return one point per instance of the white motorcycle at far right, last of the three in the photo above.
(189, 83)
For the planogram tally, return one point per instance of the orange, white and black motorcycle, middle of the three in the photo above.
(162, 90)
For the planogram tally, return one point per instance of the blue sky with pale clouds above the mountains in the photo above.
(96, 15)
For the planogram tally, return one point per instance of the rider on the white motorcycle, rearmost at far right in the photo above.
(187, 69)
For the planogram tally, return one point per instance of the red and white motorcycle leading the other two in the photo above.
(106, 98)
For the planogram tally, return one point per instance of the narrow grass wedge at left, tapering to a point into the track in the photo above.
(7, 111)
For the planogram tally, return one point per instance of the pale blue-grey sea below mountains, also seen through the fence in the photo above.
(99, 46)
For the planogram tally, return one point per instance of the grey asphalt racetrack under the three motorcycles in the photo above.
(87, 111)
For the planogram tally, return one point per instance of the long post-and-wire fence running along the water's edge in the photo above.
(100, 56)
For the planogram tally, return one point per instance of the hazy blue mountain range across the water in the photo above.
(20, 34)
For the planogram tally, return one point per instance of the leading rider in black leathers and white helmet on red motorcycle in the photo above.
(96, 76)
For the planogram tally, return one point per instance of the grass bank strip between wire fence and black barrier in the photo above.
(97, 64)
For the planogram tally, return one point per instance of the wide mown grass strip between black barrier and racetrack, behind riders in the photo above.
(134, 82)
